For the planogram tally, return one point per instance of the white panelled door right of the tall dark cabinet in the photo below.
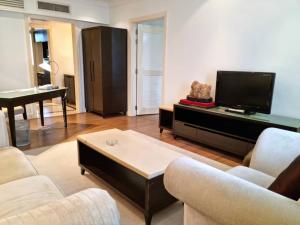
(150, 62)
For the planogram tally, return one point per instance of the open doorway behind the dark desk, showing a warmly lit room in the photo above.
(53, 61)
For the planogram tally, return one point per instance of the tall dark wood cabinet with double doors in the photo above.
(105, 69)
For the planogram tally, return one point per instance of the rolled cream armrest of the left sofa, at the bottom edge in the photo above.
(89, 207)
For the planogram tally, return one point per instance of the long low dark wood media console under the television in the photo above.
(231, 132)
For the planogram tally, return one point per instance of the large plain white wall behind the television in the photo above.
(204, 36)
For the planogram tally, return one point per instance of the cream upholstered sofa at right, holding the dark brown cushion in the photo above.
(238, 196)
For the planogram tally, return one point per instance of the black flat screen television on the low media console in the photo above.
(248, 91)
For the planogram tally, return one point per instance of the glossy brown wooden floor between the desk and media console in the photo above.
(54, 132)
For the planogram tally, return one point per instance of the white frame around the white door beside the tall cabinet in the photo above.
(132, 78)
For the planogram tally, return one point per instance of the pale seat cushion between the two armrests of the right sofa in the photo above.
(252, 175)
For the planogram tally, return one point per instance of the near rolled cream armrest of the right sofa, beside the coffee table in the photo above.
(226, 199)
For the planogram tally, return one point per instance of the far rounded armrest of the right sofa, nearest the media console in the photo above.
(275, 149)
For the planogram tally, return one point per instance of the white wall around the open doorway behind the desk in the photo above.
(13, 44)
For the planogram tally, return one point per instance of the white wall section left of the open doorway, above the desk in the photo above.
(14, 64)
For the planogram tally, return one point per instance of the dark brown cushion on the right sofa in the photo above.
(288, 182)
